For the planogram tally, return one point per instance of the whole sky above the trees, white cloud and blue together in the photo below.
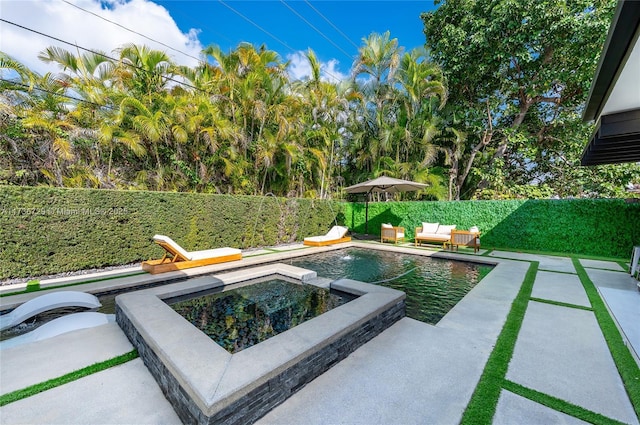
(333, 29)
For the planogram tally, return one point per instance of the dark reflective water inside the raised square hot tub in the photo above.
(239, 318)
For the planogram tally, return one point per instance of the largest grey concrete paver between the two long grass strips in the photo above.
(561, 351)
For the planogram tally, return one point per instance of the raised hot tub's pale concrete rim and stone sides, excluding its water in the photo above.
(206, 384)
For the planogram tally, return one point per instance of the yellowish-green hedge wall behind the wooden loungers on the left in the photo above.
(51, 230)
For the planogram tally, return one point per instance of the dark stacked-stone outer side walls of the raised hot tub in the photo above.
(261, 400)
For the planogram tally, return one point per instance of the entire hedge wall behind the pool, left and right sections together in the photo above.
(51, 230)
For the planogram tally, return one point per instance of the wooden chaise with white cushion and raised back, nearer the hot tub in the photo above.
(177, 258)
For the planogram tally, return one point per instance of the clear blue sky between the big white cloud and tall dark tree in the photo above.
(333, 29)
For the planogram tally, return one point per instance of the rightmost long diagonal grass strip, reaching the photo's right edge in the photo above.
(626, 364)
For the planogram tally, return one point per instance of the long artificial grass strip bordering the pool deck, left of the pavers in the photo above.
(482, 406)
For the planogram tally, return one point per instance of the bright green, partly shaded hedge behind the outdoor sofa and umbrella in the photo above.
(599, 227)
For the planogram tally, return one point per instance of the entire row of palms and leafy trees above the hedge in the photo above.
(489, 109)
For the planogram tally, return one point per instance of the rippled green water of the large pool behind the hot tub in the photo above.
(433, 286)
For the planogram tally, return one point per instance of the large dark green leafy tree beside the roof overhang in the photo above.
(518, 73)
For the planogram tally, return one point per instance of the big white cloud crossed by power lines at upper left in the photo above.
(59, 19)
